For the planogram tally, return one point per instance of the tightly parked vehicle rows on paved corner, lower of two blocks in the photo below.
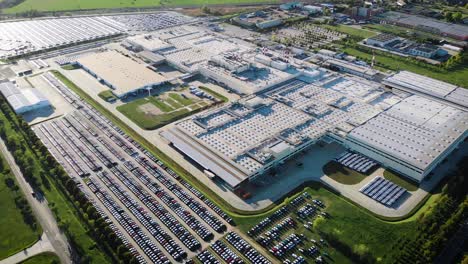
(383, 191)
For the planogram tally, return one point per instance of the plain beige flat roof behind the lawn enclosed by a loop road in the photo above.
(124, 74)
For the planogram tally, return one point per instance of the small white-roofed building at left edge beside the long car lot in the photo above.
(23, 100)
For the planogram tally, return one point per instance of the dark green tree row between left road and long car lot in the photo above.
(38, 166)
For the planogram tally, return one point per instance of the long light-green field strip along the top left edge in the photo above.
(64, 5)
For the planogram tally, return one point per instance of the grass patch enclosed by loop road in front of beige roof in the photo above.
(172, 108)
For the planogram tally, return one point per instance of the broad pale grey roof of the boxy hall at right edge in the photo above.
(416, 130)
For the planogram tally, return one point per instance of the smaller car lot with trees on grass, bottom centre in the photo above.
(290, 234)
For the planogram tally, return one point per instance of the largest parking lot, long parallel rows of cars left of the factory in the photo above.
(158, 214)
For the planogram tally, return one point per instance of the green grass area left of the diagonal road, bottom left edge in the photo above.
(15, 234)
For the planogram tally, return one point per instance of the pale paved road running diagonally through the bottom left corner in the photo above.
(41, 210)
